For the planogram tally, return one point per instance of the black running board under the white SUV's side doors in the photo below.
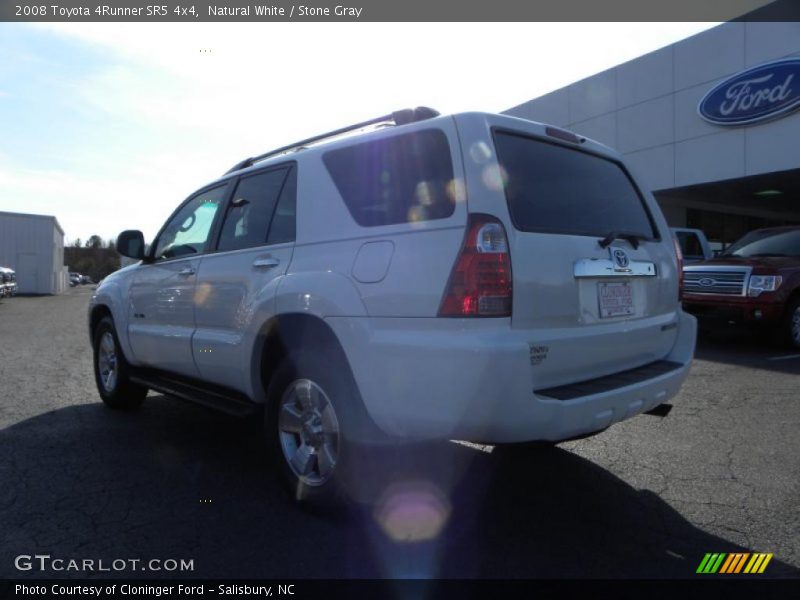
(208, 395)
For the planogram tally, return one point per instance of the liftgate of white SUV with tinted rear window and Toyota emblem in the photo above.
(594, 303)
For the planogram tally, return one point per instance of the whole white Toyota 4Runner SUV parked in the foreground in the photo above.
(416, 276)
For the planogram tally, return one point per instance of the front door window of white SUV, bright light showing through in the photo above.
(188, 232)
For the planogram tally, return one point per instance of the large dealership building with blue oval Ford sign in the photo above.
(710, 124)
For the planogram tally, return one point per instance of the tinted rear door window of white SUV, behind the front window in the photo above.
(248, 218)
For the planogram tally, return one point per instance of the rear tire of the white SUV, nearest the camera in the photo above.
(356, 436)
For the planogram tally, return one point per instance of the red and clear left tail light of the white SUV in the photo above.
(480, 283)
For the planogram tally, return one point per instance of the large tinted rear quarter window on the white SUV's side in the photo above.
(401, 179)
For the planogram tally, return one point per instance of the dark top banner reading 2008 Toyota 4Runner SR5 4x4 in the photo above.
(191, 11)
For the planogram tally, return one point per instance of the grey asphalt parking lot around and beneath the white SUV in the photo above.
(647, 498)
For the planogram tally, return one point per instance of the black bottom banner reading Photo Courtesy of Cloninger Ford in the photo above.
(406, 589)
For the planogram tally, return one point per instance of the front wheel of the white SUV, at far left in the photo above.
(117, 392)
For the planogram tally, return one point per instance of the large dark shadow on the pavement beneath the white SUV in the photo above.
(175, 481)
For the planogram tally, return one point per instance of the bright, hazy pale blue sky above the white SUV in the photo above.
(110, 126)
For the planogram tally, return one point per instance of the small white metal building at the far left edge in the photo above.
(33, 245)
